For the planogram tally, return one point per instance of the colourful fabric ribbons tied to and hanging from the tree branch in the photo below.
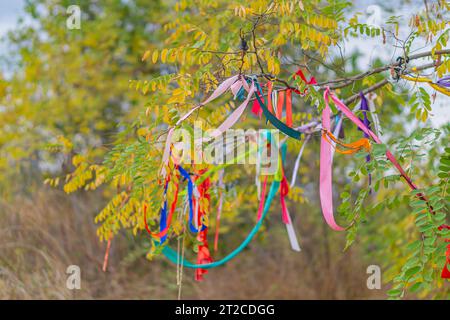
(276, 106)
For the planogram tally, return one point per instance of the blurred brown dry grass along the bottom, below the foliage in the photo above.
(42, 235)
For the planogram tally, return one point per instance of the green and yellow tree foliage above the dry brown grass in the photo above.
(99, 103)
